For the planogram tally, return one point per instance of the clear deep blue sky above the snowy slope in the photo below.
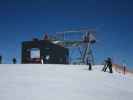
(24, 19)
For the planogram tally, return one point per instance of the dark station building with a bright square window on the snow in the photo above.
(38, 51)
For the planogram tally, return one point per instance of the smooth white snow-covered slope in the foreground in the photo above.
(62, 82)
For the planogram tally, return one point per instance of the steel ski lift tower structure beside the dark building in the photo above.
(83, 45)
